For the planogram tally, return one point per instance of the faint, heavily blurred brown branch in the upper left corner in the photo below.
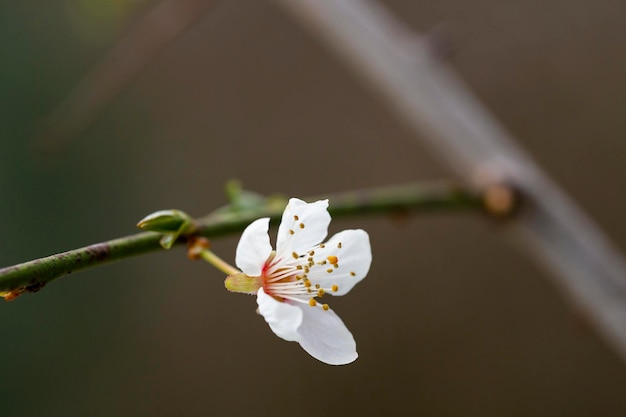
(143, 43)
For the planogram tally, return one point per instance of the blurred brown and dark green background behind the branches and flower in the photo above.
(450, 321)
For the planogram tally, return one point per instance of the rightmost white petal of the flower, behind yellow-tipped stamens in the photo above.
(353, 259)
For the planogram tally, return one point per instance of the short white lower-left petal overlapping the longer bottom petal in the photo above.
(284, 318)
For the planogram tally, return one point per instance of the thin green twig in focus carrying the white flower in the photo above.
(33, 275)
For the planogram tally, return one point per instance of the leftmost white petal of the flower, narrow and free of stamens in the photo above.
(254, 248)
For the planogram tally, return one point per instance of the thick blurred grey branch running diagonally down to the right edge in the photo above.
(428, 95)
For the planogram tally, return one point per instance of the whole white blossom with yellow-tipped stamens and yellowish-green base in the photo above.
(288, 282)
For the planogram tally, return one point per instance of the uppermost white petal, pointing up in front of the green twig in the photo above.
(310, 228)
